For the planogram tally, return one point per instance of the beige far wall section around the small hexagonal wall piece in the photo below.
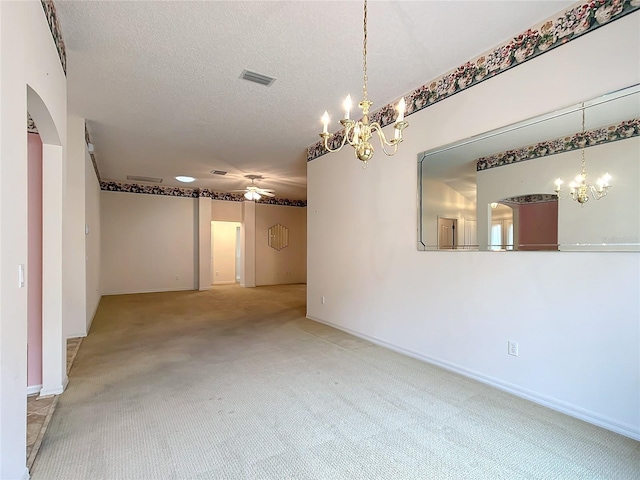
(289, 265)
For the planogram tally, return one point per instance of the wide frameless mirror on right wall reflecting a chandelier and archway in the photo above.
(496, 191)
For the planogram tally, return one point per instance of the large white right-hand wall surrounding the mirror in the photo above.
(579, 339)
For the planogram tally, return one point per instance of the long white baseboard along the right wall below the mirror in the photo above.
(535, 397)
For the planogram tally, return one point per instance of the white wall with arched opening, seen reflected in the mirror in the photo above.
(616, 216)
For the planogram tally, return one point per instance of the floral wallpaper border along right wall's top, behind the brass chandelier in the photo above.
(577, 20)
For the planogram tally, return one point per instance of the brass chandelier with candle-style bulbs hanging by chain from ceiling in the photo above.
(358, 133)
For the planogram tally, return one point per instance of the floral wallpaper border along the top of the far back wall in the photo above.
(192, 193)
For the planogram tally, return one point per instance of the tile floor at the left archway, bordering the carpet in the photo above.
(40, 409)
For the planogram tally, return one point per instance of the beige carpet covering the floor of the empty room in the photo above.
(236, 384)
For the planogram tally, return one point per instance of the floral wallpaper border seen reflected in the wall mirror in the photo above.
(590, 138)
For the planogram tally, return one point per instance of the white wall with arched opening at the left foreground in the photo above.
(28, 58)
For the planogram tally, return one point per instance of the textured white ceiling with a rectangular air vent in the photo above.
(158, 82)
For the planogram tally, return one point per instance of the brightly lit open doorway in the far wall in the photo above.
(225, 253)
